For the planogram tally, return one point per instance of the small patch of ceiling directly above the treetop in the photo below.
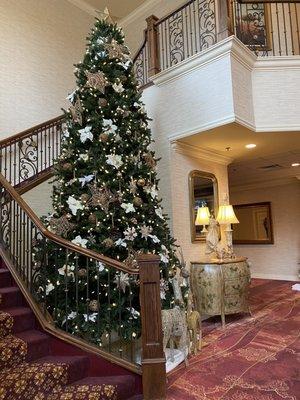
(117, 8)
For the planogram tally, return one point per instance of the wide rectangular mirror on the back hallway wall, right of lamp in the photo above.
(255, 225)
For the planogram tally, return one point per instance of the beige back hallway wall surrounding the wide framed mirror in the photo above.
(281, 260)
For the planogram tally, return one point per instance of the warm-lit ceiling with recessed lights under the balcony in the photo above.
(271, 159)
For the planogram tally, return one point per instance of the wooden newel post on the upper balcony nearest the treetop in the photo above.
(153, 46)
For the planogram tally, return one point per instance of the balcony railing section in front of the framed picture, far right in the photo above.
(268, 29)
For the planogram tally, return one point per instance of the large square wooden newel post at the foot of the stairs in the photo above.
(153, 358)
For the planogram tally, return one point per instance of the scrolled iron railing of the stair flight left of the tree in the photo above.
(26, 156)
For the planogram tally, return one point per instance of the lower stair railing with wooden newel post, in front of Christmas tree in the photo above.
(88, 298)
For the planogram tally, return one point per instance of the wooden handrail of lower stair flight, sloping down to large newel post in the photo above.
(59, 240)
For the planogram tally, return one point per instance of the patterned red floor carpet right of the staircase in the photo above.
(255, 358)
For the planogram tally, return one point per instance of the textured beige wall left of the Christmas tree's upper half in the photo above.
(40, 40)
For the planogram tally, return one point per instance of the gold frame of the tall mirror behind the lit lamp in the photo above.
(194, 237)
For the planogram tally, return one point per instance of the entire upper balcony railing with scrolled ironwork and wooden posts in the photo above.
(268, 29)
